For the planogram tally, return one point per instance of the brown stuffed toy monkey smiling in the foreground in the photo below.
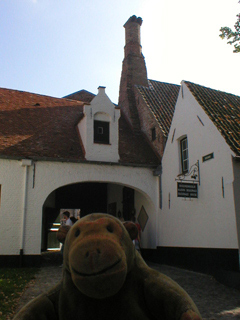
(105, 278)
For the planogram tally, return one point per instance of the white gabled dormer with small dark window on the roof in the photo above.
(99, 129)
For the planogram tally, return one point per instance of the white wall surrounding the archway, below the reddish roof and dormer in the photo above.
(50, 176)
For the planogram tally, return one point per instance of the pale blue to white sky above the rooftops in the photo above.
(56, 47)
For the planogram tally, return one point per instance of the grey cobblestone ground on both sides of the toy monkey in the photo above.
(214, 300)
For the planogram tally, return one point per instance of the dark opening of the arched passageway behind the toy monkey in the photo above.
(115, 199)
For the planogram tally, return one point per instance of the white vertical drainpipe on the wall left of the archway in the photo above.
(25, 163)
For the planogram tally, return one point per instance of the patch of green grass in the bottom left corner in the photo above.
(12, 284)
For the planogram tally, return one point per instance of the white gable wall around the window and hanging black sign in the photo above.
(208, 221)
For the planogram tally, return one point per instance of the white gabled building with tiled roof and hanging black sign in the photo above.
(200, 215)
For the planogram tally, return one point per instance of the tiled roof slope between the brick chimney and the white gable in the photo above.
(161, 98)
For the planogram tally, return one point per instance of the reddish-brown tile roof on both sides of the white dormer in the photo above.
(41, 127)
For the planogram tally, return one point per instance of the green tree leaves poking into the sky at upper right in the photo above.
(232, 35)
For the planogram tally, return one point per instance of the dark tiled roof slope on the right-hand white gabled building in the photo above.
(224, 111)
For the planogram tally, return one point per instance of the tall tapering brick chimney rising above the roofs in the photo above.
(133, 71)
